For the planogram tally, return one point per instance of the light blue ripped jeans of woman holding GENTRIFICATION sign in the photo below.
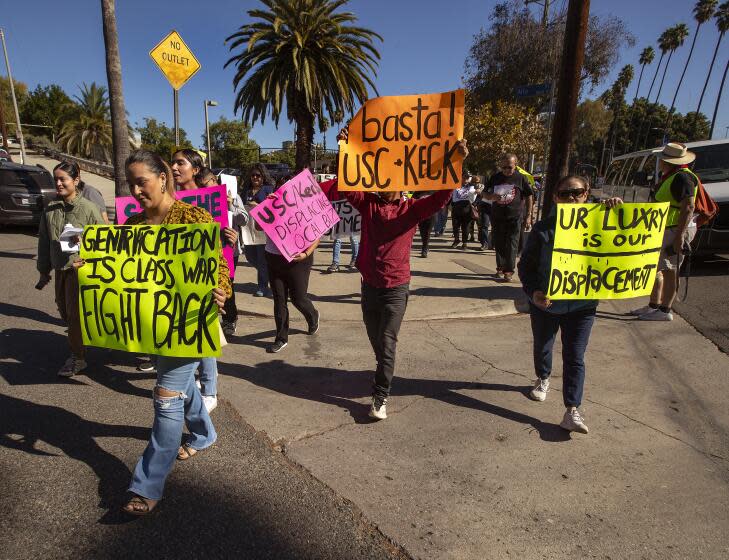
(173, 374)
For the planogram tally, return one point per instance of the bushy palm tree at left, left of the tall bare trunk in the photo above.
(89, 133)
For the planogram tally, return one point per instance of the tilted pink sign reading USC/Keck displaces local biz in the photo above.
(298, 216)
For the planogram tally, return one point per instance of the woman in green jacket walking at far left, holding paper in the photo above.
(73, 209)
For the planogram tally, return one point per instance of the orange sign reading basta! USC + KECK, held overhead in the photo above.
(404, 143)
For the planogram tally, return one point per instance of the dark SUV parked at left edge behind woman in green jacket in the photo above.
(25, 190)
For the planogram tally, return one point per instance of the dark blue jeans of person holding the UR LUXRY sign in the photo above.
(576, 329)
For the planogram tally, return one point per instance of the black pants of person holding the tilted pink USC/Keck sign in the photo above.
(290, 279)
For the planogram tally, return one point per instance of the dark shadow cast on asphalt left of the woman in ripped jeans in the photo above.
(24, 423)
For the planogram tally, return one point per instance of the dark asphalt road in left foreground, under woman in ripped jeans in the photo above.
(67, 448)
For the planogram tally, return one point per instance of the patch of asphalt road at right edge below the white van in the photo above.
(706, 306)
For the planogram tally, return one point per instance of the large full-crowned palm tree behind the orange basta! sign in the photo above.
(304, 54)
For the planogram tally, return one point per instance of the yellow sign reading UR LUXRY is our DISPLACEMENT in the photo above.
(603, 253)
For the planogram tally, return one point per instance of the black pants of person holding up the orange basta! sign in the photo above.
(383, 310)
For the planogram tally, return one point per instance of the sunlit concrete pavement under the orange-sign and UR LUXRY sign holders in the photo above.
(466, 466)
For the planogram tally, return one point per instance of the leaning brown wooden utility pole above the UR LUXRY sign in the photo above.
(573, 55)
